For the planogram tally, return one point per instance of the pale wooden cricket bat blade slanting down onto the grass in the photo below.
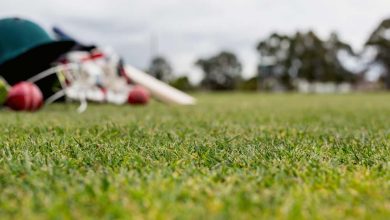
(157, 88)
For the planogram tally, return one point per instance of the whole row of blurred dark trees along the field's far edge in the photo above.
(284, 59)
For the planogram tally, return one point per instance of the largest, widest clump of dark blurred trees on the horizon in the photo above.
(303, 56)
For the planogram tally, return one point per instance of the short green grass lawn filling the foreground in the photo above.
(233, 156)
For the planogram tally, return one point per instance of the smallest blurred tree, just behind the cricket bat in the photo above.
(161, 69)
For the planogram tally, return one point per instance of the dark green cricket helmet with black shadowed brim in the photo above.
(26, 49)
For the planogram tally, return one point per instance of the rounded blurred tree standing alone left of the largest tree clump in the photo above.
(222, 71)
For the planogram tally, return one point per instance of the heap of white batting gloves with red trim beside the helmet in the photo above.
(96, 77)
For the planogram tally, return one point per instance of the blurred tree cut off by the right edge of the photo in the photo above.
(380, 40)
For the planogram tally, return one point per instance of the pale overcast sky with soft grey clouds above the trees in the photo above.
(186, 30)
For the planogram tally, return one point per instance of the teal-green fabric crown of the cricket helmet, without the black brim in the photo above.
(18, 36)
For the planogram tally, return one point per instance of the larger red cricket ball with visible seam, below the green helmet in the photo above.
(24, 96)
